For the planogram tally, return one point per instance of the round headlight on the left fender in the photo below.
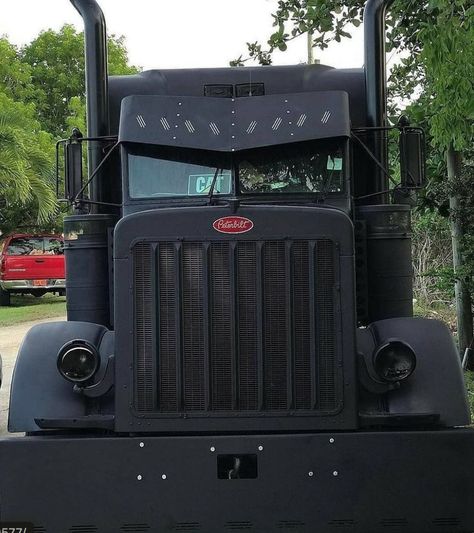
(78, 361)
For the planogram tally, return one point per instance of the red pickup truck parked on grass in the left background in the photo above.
(31, 264)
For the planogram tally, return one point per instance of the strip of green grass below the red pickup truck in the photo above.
(25, 308)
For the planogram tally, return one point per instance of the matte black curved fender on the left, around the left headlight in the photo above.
(38, 390)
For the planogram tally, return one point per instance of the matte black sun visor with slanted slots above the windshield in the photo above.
(225, 124)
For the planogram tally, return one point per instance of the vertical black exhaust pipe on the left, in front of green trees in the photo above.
(95, 38)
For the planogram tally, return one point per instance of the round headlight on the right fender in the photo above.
(394, 361)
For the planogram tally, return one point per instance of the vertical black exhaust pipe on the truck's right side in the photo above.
(376, 85)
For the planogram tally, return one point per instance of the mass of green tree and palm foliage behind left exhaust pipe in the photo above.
(42, 97)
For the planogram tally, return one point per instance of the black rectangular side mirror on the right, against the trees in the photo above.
(412, 158)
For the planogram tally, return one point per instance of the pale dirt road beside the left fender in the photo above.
(10, 340)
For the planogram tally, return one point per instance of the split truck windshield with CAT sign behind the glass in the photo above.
(315, 167)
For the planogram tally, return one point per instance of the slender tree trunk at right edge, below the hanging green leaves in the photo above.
(462, 294)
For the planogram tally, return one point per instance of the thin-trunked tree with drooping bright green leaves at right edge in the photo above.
(448, 56)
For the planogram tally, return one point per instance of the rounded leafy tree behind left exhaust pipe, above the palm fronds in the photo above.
(56, 60)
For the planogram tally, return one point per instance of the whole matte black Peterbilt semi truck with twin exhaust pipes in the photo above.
(240, 352)
